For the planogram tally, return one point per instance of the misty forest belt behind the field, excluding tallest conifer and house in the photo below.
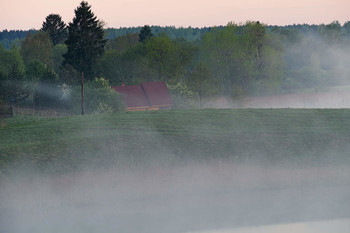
(197, 64)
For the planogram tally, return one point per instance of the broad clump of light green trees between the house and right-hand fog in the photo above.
(243, 57)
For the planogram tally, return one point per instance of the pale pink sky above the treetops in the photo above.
(29, 14)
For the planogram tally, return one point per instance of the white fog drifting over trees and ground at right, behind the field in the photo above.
(315, 74)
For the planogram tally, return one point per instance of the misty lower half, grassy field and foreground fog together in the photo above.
(175, 171)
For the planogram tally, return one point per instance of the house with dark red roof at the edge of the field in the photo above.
(147, 96)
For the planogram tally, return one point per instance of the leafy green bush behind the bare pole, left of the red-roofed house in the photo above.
(99, 97)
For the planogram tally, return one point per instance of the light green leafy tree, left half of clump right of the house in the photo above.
(231, 59)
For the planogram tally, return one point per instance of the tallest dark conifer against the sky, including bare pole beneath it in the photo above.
(85, 43)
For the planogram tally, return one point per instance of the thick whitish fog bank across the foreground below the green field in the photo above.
(197, 196)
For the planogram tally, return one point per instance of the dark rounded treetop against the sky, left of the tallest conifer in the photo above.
(56, 28)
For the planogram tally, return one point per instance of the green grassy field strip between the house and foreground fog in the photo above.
(61, 144)
